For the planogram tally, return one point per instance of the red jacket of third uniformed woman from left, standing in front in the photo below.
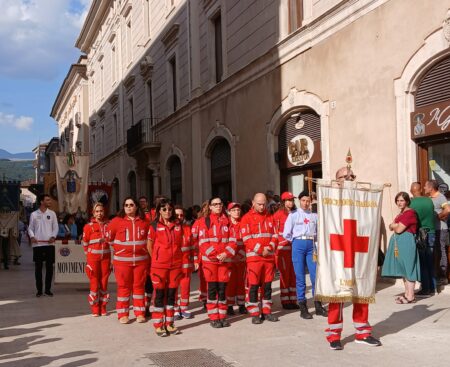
(167, 244)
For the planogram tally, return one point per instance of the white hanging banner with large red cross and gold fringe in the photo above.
(348, 240)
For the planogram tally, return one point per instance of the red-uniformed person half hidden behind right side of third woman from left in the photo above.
(189, 264)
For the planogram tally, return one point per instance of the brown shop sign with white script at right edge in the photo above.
(430, 120)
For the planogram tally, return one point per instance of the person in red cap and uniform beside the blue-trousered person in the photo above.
(283, 255)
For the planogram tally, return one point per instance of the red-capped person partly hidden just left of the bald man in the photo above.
(236, 285)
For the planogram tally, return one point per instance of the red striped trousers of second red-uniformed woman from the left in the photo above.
(130, 279)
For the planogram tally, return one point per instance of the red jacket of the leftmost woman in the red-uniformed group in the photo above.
(95, 244)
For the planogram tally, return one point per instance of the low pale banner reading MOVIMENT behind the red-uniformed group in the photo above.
(70, 263)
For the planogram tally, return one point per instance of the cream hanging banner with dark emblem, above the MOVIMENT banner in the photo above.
(72, 178)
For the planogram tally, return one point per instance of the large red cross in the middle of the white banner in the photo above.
(349, 242)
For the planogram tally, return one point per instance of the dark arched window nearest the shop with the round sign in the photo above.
(221, 170)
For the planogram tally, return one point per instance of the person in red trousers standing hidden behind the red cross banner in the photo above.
(360, 310)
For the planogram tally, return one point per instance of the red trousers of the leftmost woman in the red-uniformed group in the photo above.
(98, 273)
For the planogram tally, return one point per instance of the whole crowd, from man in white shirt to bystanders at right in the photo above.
(236, 250)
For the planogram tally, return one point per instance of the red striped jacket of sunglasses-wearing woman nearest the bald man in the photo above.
(214, 238)
